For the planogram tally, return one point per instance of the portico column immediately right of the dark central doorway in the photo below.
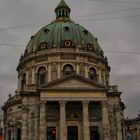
(86, 133)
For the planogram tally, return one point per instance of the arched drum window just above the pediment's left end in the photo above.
(41, 76)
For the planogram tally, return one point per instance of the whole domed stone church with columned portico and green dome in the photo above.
(63, 90)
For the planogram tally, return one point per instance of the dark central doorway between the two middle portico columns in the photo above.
(72, 132)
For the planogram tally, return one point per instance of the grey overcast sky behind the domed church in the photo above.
(116, 24)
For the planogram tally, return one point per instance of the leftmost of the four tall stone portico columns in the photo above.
(42, 128)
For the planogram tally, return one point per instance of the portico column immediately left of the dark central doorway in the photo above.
(63, 135)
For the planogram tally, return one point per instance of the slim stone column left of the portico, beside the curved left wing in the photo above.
(24, 120)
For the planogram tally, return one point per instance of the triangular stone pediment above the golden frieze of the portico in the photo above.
(73, 82)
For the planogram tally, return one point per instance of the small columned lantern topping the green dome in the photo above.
(62, 10)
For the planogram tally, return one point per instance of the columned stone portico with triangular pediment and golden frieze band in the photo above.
(82, 113)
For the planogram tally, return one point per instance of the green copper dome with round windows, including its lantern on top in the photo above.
(63, 32)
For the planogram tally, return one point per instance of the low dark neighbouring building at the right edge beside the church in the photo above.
(132, 127)
